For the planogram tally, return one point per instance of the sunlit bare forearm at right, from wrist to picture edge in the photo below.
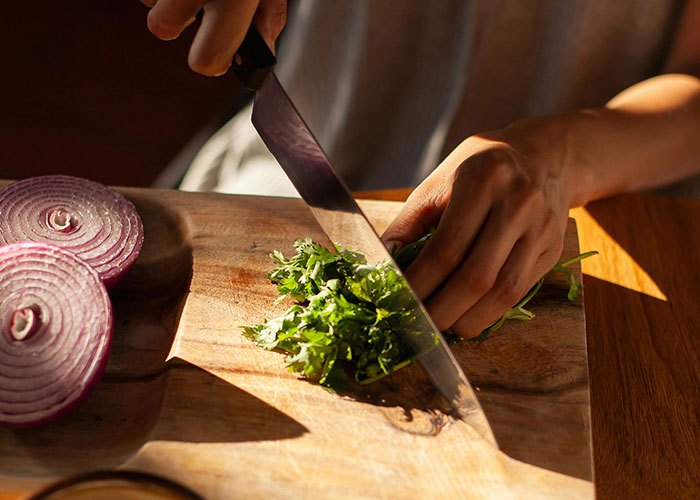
(645, 137)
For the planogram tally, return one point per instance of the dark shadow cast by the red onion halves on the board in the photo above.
(141, 395)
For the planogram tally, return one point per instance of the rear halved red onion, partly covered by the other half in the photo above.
(86, 217)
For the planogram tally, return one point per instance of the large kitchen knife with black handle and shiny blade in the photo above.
(286, 135)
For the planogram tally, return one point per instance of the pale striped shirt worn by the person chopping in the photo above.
(390, 87)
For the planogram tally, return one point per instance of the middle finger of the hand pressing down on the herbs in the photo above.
(478, 273)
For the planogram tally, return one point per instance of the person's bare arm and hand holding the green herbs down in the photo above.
(500, 200)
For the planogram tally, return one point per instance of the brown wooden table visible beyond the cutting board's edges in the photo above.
(644, 348)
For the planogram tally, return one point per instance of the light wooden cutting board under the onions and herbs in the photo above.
(186, 397)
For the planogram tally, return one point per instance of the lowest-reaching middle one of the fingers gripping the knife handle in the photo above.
(223, 28)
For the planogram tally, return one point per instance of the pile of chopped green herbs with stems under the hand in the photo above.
(349, 314)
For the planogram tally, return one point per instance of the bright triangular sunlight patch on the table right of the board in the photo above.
(618, 267)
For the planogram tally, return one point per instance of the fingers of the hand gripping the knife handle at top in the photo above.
(224, 25)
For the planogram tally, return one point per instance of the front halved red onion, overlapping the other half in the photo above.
(55, 332)
